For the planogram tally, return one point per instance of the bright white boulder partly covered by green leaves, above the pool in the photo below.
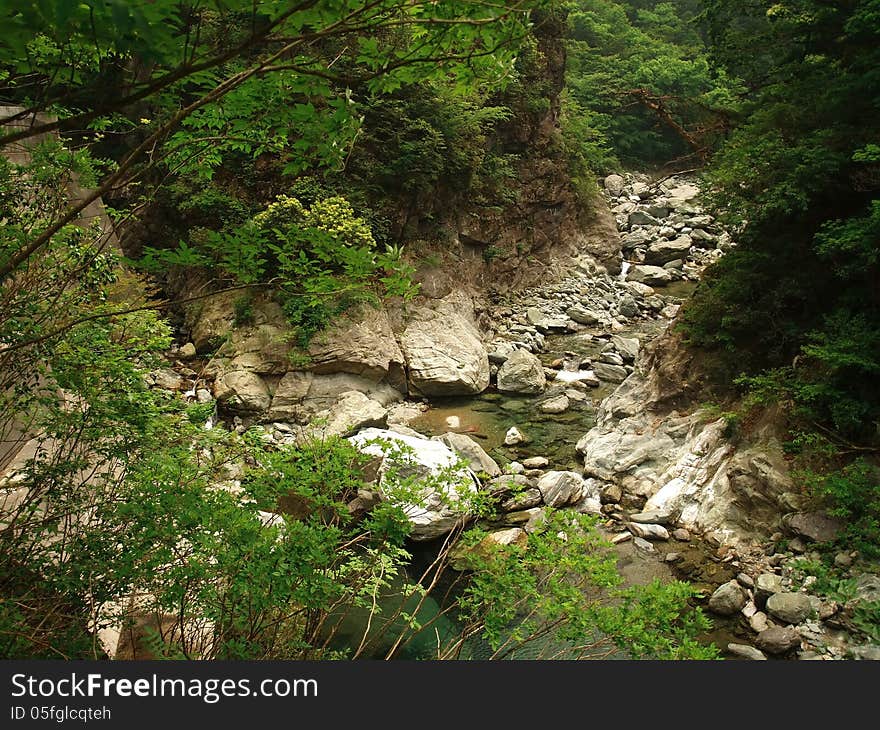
(437, 511)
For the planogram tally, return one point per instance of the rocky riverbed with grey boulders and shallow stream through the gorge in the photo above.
(558, 396)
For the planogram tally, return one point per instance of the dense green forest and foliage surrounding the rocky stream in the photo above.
(313, 155)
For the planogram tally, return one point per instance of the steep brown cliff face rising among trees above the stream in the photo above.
(538, 236)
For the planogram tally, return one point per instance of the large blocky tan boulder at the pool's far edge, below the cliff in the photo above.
(444, 355)
